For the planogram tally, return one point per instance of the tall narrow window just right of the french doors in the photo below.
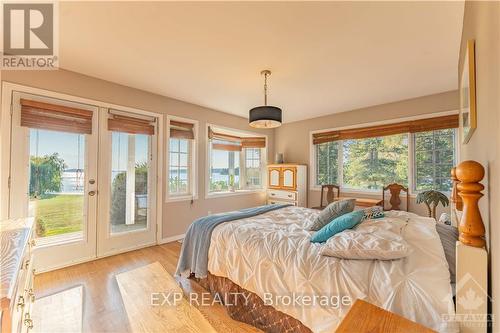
(181, 156)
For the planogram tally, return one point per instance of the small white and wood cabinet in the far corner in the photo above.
(287, 183)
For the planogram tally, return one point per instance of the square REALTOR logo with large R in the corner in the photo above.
(29, 35)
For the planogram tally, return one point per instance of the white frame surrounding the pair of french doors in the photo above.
(5, 148)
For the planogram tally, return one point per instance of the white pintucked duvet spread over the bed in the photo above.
(271, 255)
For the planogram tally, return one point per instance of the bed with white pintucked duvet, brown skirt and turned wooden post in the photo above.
(267, 255)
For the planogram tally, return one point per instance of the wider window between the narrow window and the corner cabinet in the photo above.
(236, 161)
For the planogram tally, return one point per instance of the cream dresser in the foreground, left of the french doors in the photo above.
(16, 261)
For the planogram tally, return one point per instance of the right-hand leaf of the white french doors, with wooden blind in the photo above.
(127, 189)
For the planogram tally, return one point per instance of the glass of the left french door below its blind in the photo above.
(56, 186)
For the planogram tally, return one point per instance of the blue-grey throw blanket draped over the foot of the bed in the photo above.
(194, 252)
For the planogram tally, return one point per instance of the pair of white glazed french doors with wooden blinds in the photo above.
(85, 173)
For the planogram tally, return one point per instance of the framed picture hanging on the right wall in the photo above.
(468, 111)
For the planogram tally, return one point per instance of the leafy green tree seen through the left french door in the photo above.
(45, 174)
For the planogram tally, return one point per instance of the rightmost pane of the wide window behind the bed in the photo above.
(434, 156)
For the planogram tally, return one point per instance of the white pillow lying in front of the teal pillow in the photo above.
(379, 245)
